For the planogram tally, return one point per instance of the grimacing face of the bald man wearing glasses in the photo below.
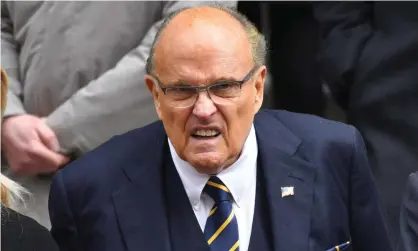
(200, 48)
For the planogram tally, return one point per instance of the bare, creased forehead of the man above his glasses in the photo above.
(202, 52)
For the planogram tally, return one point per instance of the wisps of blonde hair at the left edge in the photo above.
(11, 192)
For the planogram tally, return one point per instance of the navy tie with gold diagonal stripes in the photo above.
(221, 230)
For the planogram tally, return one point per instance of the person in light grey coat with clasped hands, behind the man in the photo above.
(76, 78)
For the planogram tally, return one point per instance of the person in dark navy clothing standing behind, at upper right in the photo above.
(370, 62)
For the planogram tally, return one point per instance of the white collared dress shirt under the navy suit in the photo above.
(240, 178)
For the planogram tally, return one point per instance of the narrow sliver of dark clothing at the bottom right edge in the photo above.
(409, 216)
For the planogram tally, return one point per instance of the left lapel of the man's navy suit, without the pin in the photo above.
(140, 205)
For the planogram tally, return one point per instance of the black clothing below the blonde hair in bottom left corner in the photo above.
(21, 233)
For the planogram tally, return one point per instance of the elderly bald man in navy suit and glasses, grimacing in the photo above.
(215, 173)
